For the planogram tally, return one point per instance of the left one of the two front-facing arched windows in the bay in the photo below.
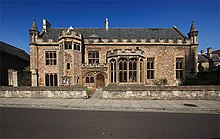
(123, 70)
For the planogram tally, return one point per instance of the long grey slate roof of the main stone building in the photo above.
(120, 33)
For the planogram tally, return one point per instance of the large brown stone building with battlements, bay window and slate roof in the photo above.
(97, 57)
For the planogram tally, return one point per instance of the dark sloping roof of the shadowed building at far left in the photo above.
(4, 47)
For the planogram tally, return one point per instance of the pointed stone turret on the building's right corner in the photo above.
(193, 34)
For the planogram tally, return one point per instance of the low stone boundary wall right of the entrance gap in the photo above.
(166, 92)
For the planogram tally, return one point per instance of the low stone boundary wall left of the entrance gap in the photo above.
(44, 92)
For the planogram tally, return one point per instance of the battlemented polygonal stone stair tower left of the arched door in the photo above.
(70, 57)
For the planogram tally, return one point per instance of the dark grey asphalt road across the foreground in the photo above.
(42, 123)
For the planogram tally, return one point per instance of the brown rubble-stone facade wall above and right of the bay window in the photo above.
(165, 59)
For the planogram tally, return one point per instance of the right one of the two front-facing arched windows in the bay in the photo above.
(132, 70)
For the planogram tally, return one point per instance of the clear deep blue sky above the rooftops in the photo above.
(17, 16)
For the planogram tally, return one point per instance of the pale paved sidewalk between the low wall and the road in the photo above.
(182, 106)
